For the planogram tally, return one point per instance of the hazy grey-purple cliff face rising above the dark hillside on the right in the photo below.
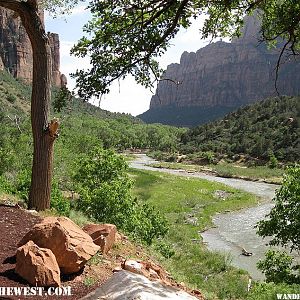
(226, 75)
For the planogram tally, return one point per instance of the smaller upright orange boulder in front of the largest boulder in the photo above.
(37, 265)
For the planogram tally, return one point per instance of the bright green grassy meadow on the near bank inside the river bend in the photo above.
(175, 197)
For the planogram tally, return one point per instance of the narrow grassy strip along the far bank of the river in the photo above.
(263, 173)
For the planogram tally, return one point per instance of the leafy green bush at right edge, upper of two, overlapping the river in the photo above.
(283, 220)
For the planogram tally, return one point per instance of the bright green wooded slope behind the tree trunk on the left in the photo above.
(83, 126)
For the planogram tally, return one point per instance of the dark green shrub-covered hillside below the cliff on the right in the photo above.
(264, 129)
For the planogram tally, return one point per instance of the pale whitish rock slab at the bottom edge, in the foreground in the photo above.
(125, 285)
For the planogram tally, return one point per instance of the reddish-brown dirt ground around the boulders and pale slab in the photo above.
(16, 222)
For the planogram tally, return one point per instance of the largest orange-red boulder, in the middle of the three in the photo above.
(71, 246)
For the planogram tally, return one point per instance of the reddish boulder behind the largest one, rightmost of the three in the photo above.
(103, 235)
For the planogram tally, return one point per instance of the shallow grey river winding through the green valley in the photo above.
(234, 230)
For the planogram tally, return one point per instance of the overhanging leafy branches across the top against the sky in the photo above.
(126, 37)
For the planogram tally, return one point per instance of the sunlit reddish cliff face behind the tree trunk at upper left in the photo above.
(15, 49)
